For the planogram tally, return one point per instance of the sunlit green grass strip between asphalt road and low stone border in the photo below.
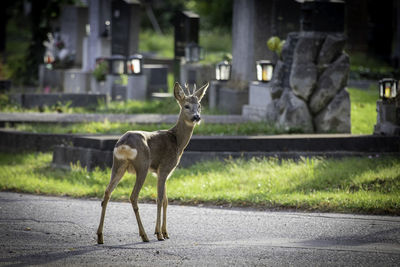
(365, 185)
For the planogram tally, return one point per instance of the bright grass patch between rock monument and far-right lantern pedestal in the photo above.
(363, 110)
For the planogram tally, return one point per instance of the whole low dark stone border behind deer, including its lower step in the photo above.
(93, 151)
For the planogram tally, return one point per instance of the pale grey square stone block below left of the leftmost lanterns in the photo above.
(76, 81)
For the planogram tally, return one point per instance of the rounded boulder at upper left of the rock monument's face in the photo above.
(303, 79)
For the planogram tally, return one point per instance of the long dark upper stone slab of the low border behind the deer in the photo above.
(273, 143)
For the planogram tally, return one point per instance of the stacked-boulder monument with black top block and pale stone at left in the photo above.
(307, 92)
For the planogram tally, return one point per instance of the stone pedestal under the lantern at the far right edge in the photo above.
(388, 119)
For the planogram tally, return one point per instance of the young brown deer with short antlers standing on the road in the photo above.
(139, 152)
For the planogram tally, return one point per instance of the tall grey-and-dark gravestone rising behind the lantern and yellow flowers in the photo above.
(254, 22)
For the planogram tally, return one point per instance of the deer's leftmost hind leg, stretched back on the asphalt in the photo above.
(118, 170)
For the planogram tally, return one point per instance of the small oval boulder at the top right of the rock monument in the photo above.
(331, 49)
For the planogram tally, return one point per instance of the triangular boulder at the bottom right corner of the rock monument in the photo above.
(335, 118)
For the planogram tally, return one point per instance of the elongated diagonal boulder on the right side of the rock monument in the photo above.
(331, 81)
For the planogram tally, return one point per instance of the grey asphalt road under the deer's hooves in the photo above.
(52, 231)
